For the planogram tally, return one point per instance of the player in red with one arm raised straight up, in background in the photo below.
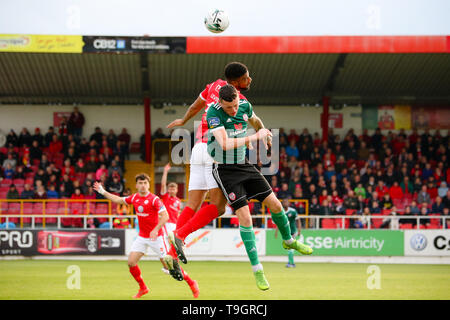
(172, 203)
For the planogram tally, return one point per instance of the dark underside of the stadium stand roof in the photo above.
(278, 79)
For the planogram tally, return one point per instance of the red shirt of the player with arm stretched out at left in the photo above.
(147, 209)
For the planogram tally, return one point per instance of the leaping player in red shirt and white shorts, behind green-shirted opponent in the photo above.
(201, 179)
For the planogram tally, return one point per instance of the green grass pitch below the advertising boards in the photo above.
(105, 280)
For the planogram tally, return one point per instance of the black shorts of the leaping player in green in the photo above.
(241, 182)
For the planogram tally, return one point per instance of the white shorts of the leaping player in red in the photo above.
(201, 177)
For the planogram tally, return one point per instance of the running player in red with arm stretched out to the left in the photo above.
(152, 215)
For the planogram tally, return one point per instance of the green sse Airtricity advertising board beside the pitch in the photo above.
(344, 242)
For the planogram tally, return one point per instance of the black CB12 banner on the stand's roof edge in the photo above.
(134, 44)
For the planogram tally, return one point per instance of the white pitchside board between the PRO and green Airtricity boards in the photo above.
(203, 242)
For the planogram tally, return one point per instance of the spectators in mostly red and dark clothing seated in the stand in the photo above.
(388, 174)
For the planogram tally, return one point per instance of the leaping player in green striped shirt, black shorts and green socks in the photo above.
(239, 179)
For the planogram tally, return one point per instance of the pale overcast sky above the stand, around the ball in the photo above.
(247, 17)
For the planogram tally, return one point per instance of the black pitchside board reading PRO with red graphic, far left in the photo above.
(56, 242)
